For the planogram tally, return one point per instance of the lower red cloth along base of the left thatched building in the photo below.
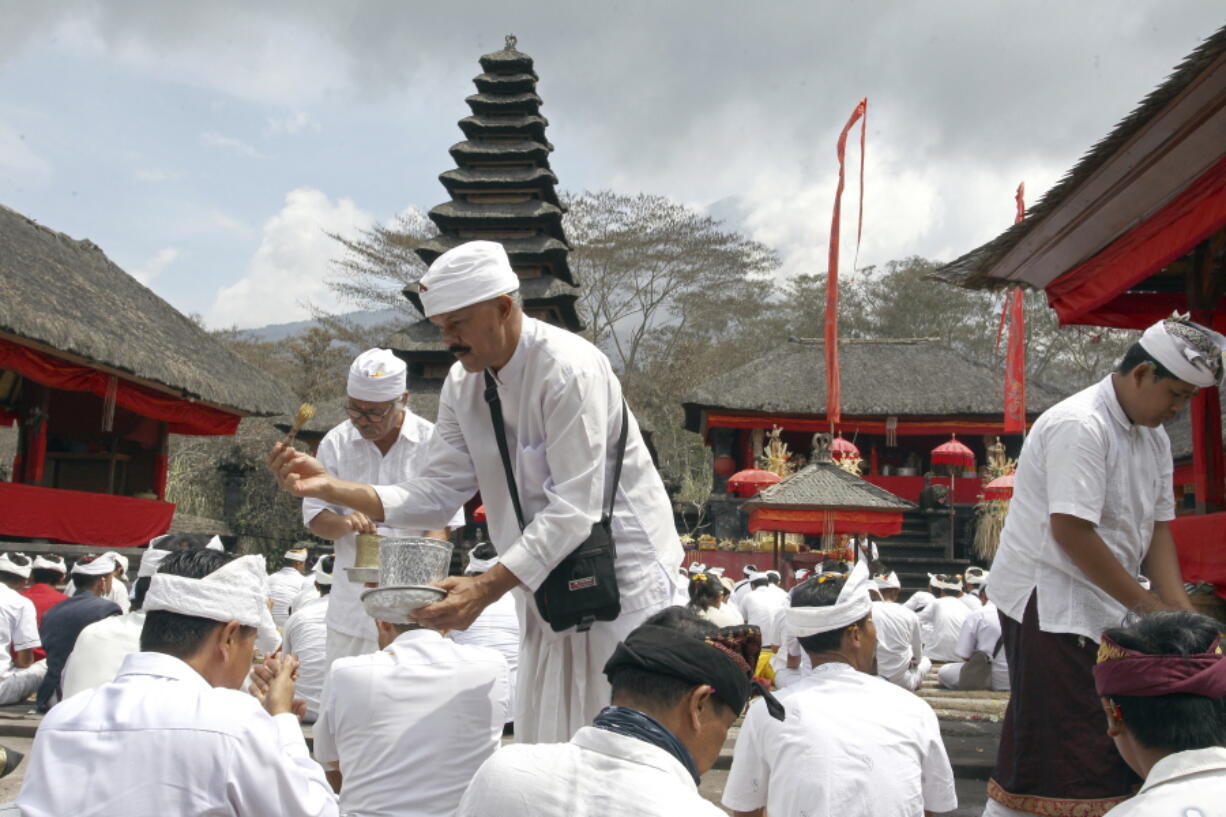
(82, 518)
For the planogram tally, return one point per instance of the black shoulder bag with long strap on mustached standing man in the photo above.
(583, 588)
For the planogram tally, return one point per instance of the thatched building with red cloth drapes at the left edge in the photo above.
(96, 374)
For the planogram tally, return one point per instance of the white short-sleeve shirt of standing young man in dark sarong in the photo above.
(1083, 458)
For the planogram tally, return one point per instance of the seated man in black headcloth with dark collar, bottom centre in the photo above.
(679, 685)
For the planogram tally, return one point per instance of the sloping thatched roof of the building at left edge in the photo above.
(67, 295)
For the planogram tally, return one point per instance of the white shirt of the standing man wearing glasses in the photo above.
(349, 456)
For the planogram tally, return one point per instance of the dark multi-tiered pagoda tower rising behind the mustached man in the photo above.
(502, 190)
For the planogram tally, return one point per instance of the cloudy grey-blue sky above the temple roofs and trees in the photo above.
(208, 147)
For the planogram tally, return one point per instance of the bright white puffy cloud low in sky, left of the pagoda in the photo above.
(292, 263)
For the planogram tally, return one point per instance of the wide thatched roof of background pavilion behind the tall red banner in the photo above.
(903, 377)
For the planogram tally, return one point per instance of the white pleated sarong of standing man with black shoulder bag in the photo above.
(562, 684)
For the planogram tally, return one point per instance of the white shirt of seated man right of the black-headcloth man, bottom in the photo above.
(851, 744)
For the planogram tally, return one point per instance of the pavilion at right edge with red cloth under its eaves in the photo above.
(1136, 231)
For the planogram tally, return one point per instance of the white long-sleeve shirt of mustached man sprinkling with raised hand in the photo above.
(562, 408)
